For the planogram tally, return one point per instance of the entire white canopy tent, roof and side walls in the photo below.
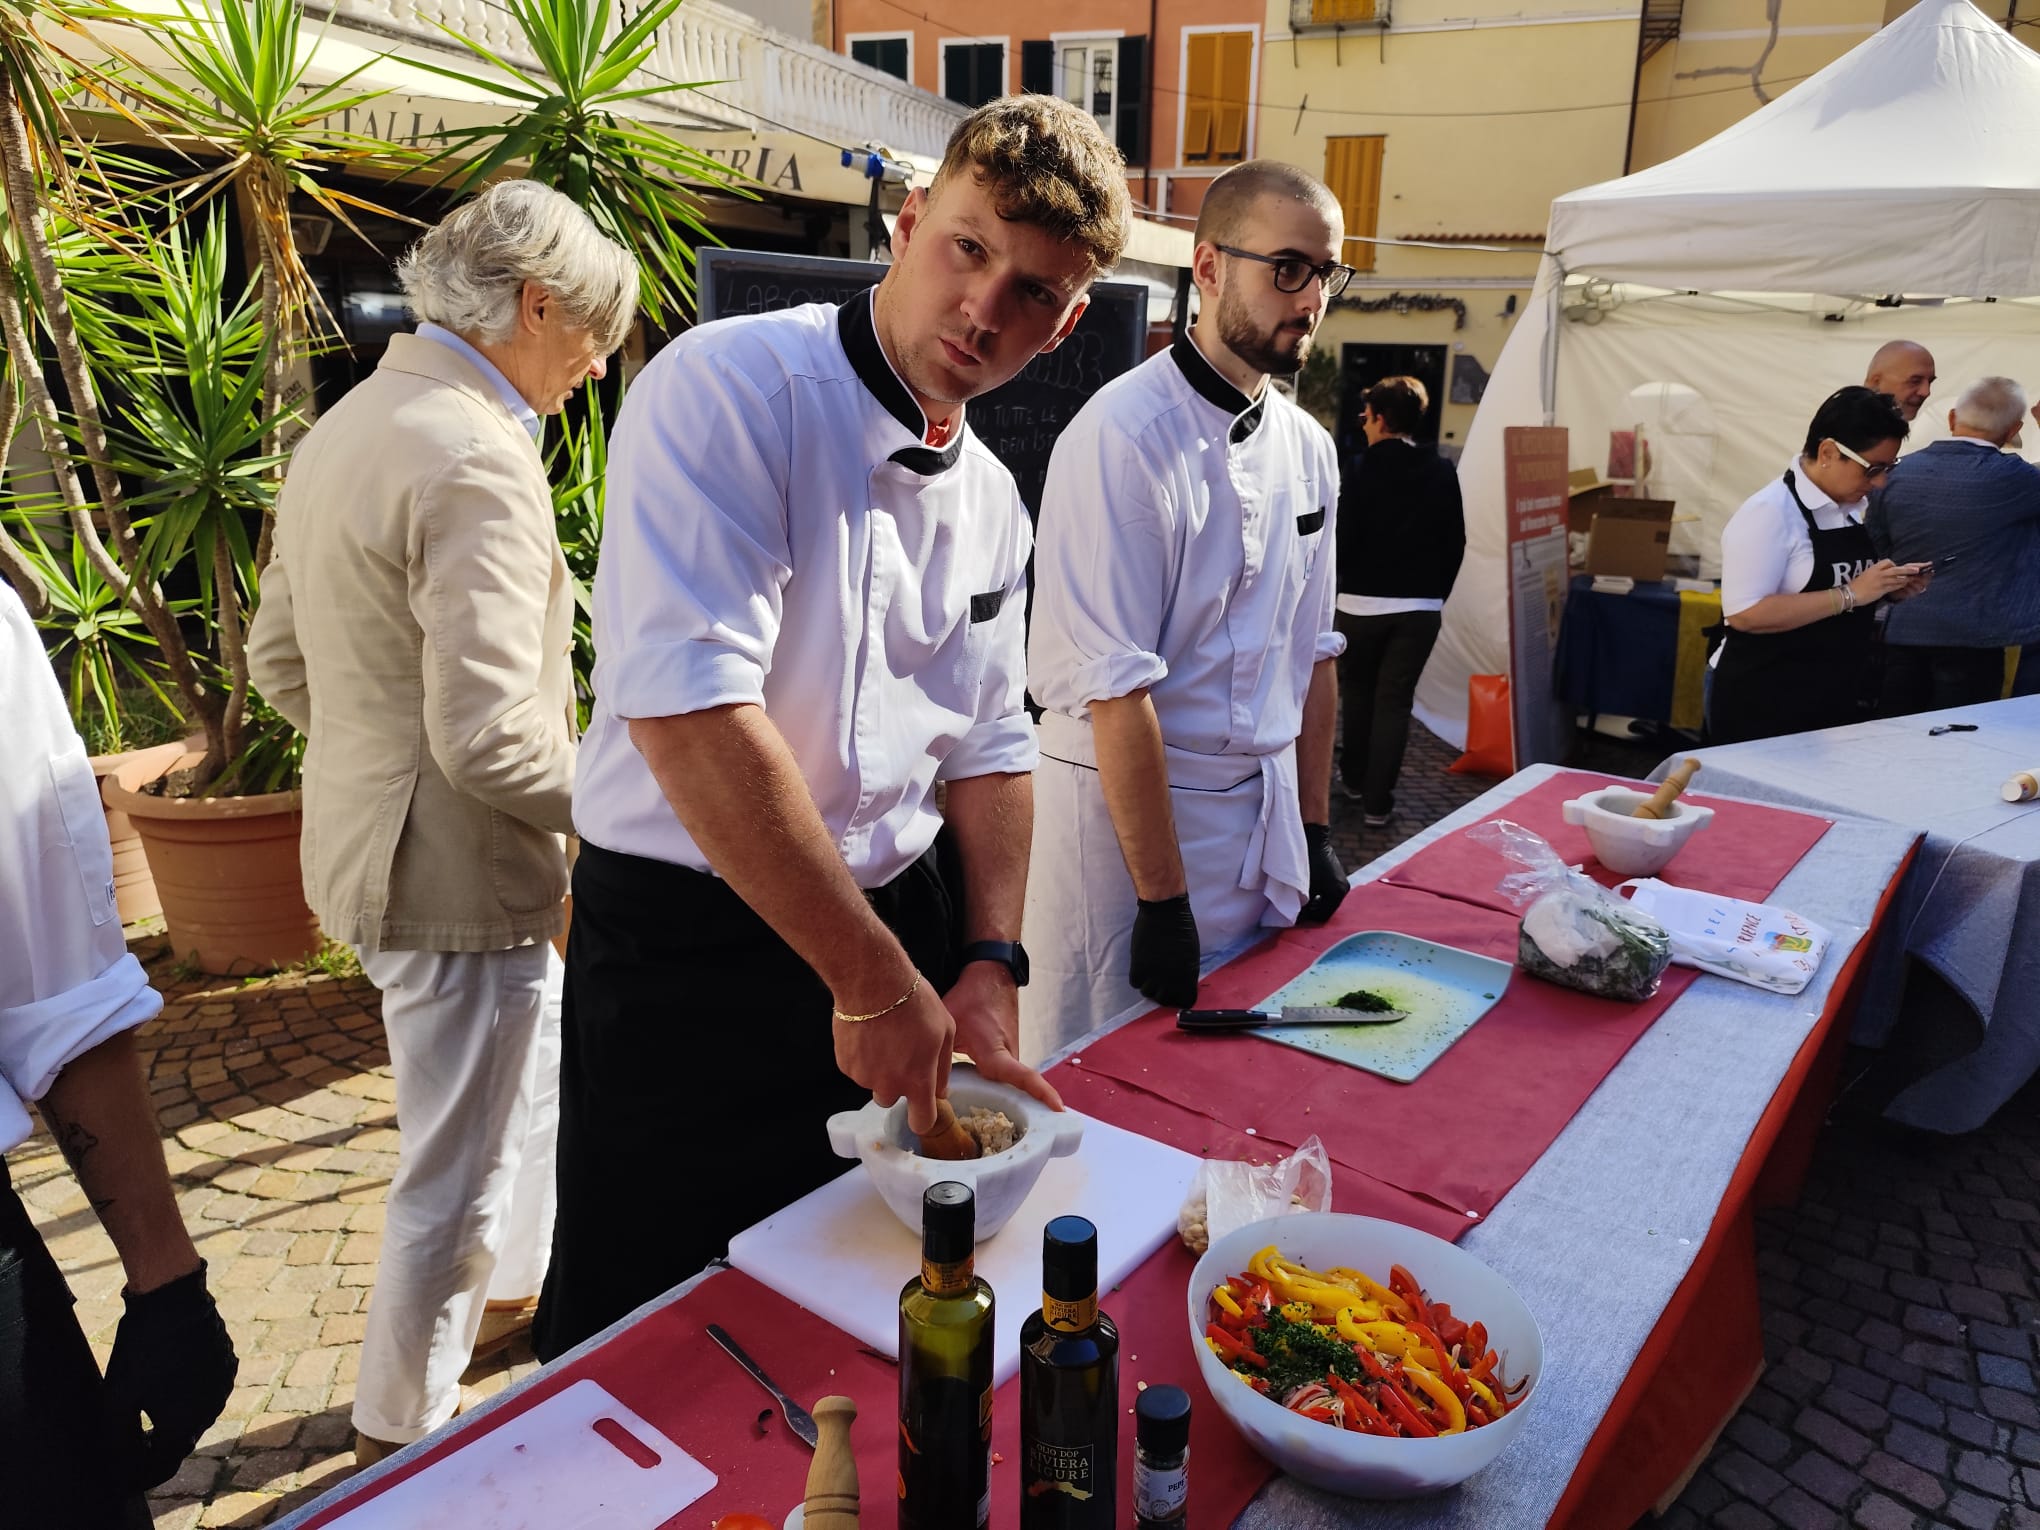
(1762, 270)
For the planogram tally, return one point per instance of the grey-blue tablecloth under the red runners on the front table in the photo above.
(1606, 1225)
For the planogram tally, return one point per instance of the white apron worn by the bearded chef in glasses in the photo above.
(1080, 899)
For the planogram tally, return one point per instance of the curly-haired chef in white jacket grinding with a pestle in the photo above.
(809, 615)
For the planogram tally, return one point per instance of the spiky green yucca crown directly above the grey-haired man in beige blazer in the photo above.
(627, 176)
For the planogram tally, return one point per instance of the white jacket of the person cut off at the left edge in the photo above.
(68, 980)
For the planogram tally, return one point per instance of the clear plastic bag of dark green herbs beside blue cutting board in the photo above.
(1576, 933)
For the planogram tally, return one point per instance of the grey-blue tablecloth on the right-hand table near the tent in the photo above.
(1972, 905)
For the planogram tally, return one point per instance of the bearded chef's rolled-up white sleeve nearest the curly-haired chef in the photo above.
(1105, 560)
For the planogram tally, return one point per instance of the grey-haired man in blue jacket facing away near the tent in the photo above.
(1972, 511)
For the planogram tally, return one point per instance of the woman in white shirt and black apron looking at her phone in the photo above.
(1800, 582)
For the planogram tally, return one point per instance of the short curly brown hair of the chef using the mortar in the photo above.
(1045, 162)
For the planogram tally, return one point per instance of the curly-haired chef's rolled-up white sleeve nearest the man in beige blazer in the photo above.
(695, 548)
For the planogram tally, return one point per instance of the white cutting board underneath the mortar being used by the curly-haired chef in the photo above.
(844, 1256)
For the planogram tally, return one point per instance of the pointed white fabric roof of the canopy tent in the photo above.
(1910, 164)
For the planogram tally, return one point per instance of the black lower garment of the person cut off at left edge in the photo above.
(58, 1464)
